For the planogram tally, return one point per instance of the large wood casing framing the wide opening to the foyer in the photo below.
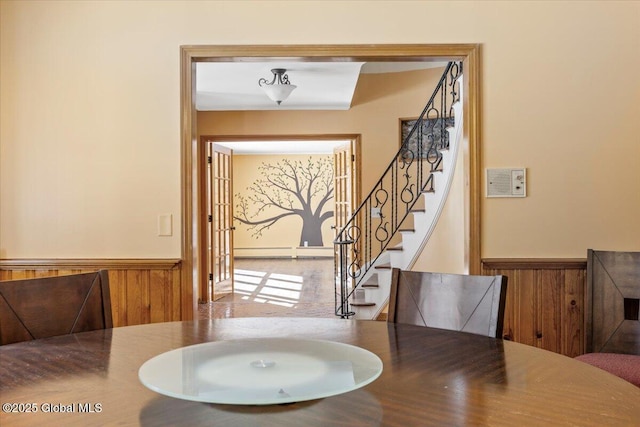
(191, 54)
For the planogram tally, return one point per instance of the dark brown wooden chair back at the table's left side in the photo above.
(49, 306)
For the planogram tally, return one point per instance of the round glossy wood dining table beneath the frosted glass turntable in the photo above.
(430, 377)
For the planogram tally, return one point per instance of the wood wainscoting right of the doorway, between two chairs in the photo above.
(545, 302)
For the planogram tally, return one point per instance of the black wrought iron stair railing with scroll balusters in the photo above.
(363, 240)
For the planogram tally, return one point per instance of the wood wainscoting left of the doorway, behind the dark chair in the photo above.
(142, 291)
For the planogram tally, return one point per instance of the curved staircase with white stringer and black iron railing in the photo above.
(393, 224)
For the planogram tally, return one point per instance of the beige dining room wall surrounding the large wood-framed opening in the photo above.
(90, 120)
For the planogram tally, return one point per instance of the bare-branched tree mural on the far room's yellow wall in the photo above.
(289, 188)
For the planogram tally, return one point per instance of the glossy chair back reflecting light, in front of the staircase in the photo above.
(465, 303)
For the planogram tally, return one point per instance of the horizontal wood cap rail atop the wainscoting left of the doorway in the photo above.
(119, 264)
